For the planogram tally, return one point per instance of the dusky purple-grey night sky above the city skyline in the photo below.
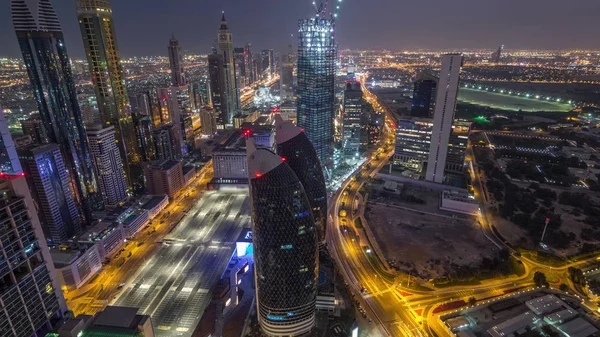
(144, 26)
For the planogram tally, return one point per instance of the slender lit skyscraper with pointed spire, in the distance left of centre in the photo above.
(232, 94)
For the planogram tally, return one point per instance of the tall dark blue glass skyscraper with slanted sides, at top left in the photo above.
(49, 69)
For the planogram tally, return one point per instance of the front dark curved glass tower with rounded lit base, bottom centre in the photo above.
(285, 246)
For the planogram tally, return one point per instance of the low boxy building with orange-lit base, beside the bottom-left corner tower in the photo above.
(75, 264)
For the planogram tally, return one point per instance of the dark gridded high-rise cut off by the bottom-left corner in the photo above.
(30, 293)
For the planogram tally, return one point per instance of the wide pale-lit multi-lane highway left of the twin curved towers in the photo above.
(173, 286)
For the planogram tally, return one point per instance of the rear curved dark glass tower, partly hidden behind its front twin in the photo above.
(300, 155)
